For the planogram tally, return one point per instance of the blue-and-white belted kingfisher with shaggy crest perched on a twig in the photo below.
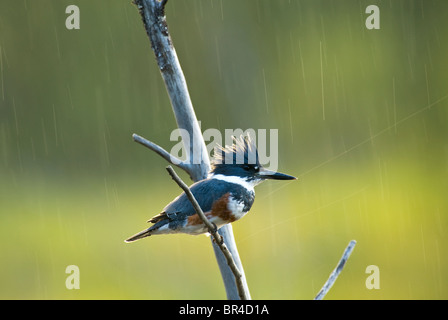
(225, 196)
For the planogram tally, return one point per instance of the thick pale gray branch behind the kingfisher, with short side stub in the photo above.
(198, 164)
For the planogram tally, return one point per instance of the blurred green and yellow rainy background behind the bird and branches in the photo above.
(362, 118)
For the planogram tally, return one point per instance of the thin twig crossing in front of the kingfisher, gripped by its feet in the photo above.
(213, 231)
